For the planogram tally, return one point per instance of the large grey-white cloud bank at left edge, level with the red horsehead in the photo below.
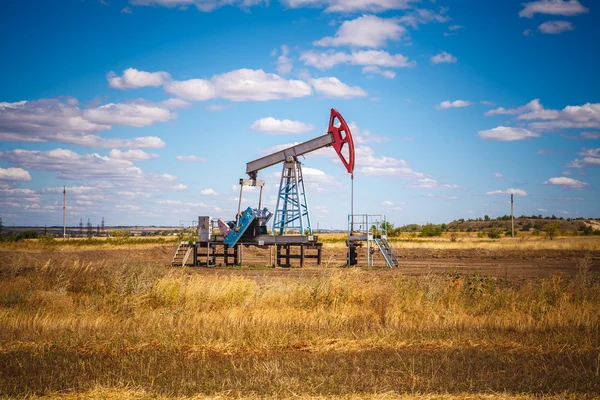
(61, 120)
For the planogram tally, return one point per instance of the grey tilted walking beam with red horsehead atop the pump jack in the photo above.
(338, 135)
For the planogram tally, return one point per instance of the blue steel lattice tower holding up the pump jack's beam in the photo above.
(292, 208)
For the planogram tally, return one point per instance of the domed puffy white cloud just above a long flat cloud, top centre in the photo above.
(365, 31)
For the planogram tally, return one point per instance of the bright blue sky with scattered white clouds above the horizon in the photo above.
(148, 110)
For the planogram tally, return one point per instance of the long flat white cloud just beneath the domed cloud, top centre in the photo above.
(380, 58)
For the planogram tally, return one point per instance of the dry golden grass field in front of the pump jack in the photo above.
(115, 327)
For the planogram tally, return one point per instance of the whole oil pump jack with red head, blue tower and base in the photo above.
(291, 212)
